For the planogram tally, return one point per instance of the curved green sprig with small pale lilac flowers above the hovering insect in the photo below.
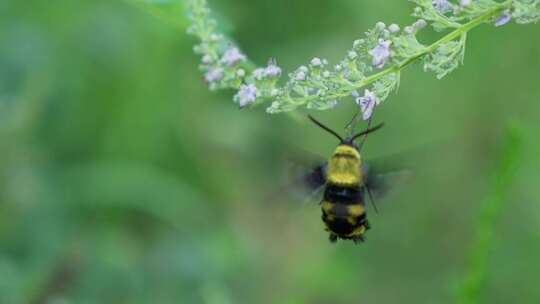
(374, 62)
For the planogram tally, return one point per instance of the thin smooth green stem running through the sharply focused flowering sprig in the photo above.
(463, 29)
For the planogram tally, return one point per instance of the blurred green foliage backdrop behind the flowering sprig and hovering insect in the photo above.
(124, 180)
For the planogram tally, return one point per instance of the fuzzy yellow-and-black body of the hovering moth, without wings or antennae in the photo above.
(343, 205)
